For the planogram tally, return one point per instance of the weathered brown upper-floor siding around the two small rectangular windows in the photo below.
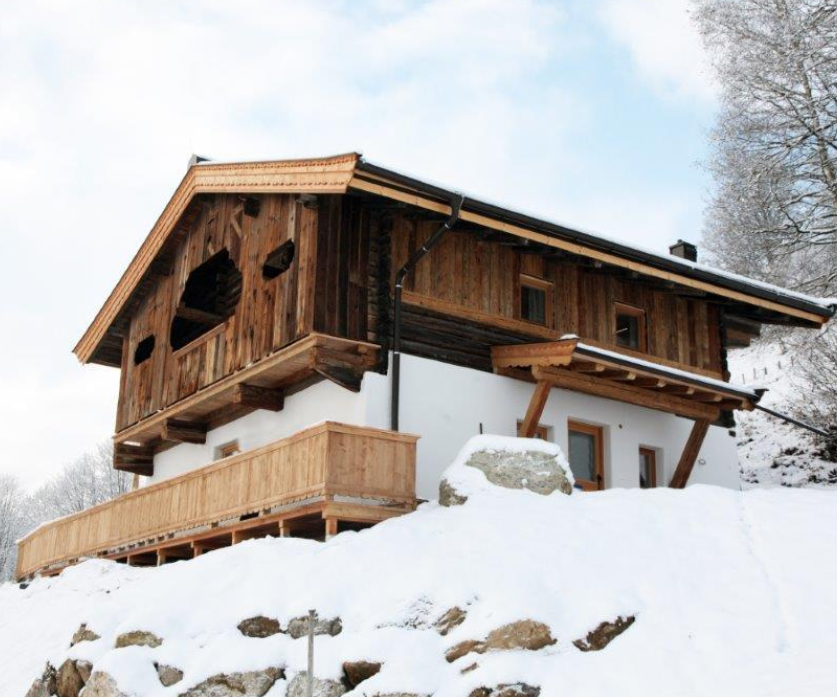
(477, 282)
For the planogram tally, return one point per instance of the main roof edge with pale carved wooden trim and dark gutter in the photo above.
(341, 173)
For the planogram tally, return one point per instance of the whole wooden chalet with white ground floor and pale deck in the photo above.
(264, 282)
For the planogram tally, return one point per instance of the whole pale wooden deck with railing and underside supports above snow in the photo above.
(311, 484)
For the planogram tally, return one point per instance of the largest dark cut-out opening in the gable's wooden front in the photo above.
(209, 299)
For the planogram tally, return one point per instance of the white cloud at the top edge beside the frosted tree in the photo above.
(664, 45)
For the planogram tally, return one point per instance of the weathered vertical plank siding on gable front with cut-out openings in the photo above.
(270, 313)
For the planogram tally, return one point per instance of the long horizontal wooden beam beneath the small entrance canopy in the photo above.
(629, 393)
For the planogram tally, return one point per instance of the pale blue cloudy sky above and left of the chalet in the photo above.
(594, 113)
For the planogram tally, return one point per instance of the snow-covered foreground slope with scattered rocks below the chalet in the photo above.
(714, 592)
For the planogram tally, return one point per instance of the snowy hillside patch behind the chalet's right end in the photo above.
(773, 452)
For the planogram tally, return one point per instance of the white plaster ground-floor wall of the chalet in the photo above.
(445, 405)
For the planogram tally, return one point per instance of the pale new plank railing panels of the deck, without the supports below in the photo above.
(327, 460)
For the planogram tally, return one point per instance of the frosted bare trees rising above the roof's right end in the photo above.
(774, 210)
